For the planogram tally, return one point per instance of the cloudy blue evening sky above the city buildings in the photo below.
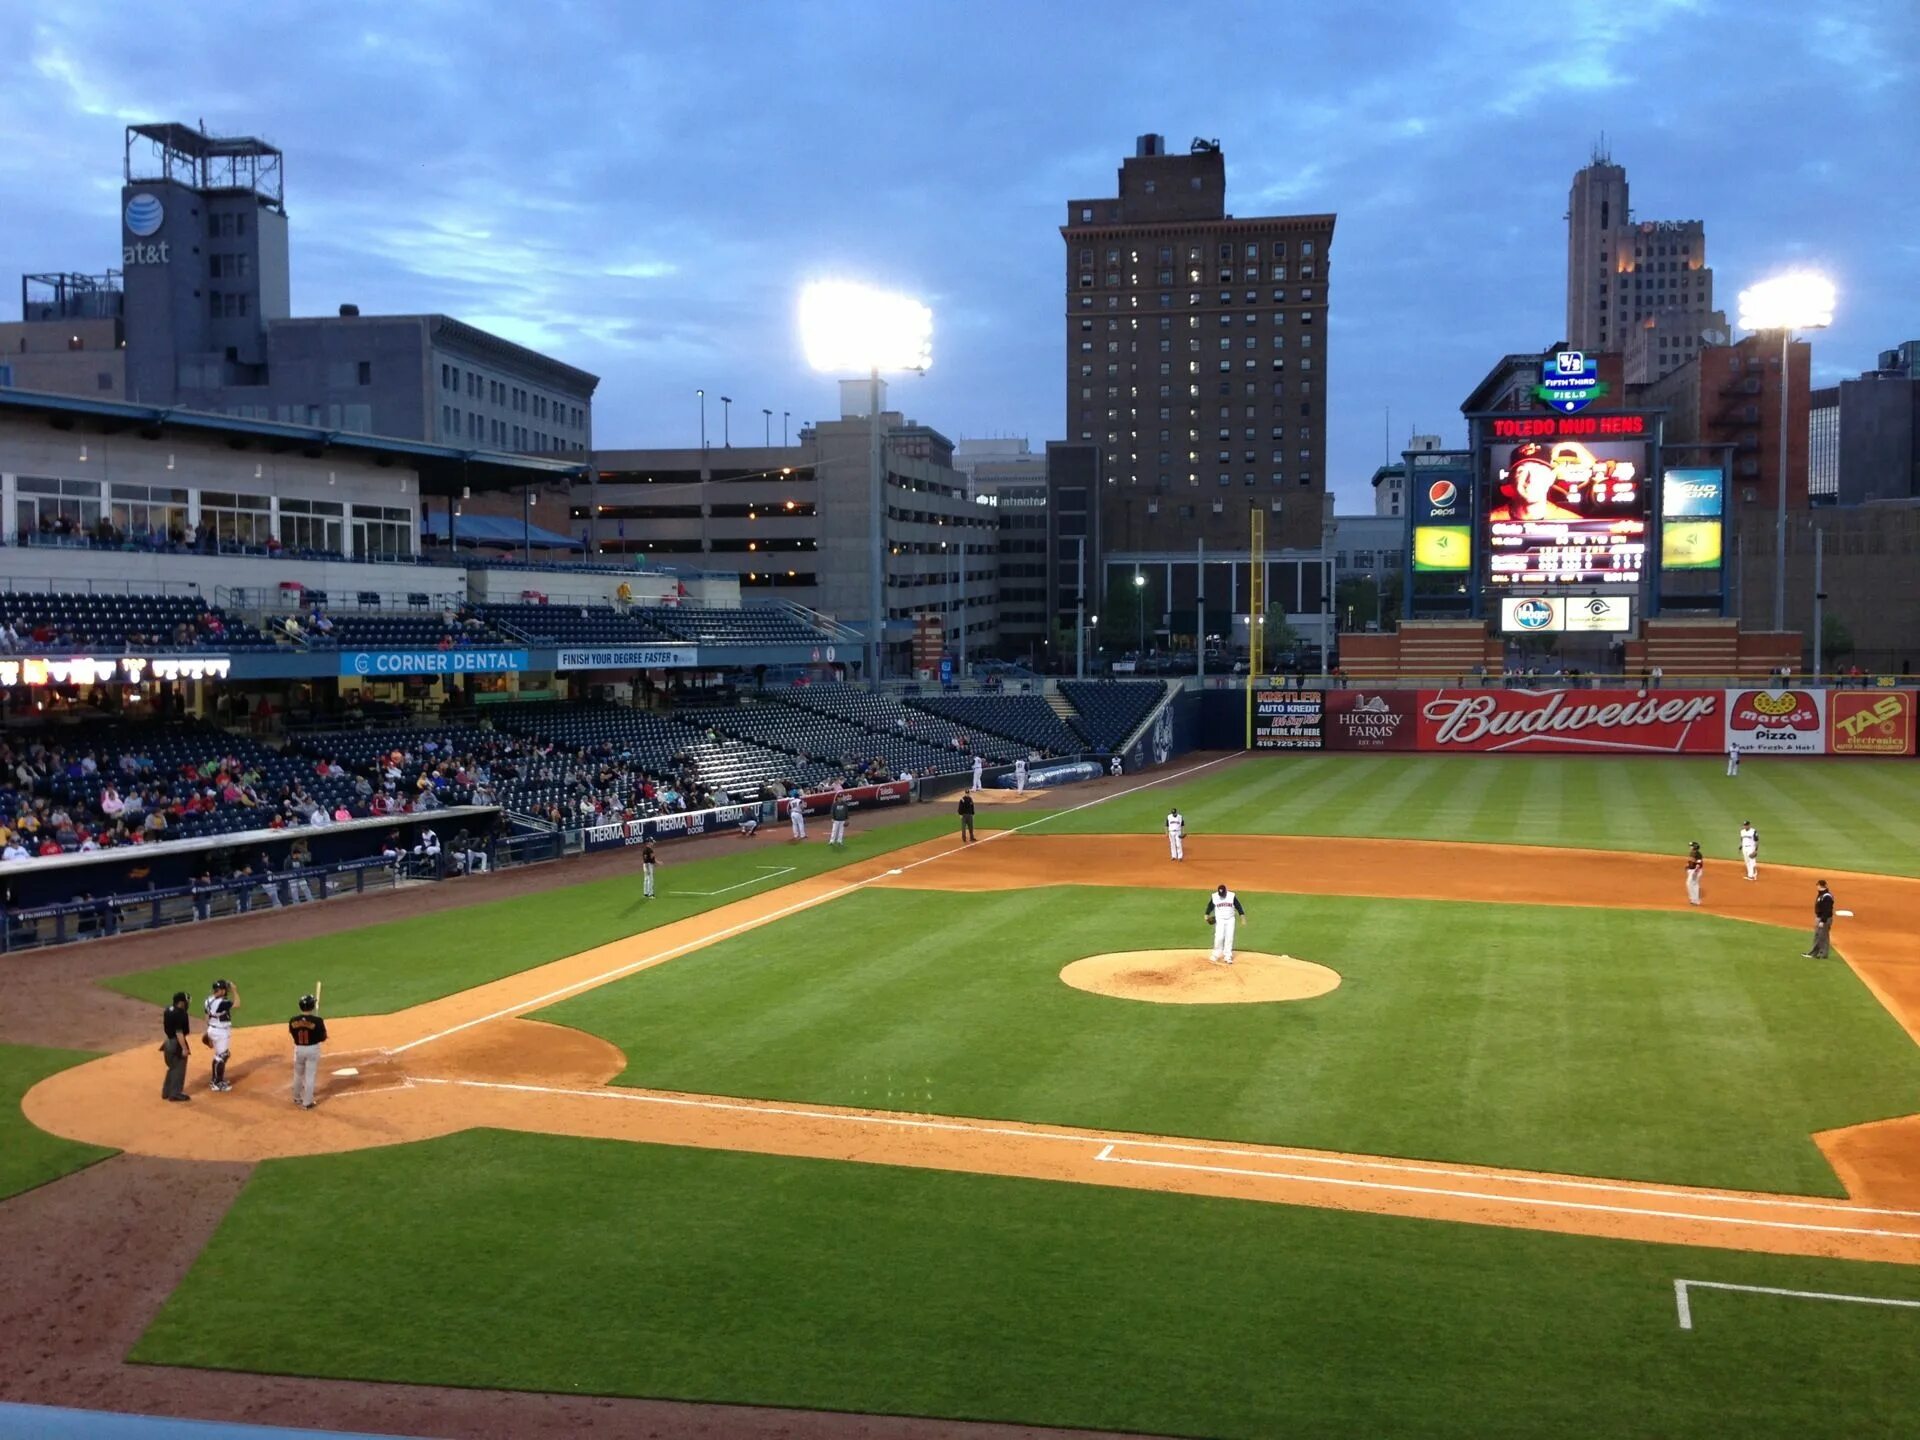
(642, 189)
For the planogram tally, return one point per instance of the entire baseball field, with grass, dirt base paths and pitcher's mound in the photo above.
(1487, 1132)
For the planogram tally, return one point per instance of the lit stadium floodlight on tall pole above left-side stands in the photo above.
(853, 327)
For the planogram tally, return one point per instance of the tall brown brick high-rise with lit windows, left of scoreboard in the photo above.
(1197, 358)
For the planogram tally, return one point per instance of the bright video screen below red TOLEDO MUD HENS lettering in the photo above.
(1562, 512)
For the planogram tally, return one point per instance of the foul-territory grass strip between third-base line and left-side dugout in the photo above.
(402, 963)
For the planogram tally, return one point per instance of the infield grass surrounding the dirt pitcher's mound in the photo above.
(1633, 1045)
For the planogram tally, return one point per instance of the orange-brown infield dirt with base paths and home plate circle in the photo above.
(473, 1061)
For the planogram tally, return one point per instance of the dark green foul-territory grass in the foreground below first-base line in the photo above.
(604, 1268)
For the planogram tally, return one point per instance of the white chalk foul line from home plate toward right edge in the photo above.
(1107, 1155)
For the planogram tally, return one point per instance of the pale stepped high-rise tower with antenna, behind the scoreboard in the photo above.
(1641, 289)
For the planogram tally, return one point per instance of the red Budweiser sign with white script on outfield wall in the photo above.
(1573, 721)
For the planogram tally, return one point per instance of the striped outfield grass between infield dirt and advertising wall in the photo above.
(1850, 815)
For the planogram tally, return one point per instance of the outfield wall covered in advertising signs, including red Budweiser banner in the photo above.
(1481, 721)
